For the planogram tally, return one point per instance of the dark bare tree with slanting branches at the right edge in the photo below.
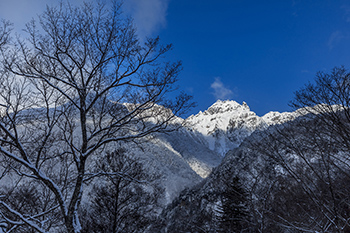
(311, 155)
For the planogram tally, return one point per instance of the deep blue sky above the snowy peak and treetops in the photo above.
(259, 52)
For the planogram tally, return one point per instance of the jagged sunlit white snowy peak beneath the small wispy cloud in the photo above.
(226, 124)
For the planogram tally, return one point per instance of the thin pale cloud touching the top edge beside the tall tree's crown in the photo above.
(149, 15)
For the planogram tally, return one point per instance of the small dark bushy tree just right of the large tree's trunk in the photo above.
(125, 199)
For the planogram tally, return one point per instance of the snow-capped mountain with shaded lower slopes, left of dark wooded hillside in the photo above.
(186, 156)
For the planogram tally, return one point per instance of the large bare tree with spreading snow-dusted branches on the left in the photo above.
(63, 101)
